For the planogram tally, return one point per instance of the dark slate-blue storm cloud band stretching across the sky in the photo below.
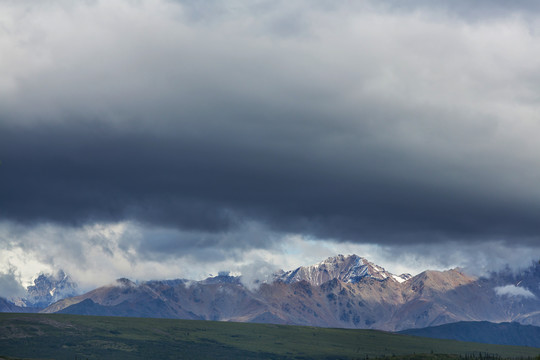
(86, 173)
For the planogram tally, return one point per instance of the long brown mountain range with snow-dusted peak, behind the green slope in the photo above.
(343, 291)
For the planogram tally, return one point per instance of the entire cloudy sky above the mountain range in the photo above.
(177, 138)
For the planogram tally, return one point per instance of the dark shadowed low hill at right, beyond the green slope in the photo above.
(483, 332)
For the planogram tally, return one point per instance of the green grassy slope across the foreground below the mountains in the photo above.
(55, 336)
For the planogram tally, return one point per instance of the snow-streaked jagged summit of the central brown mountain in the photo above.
(349, 268)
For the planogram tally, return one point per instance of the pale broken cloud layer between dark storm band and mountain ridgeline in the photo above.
(98, 254)
